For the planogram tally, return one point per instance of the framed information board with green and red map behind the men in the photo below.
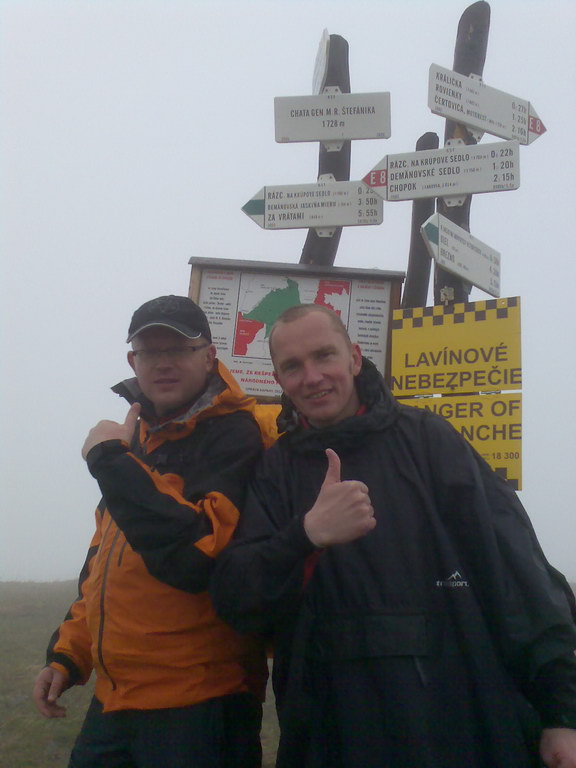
(243, 299)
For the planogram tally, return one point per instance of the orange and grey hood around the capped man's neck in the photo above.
(222, 395)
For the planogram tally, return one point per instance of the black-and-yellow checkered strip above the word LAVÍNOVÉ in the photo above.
(452, 314)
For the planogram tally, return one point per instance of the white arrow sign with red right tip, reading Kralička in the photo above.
(467, 100)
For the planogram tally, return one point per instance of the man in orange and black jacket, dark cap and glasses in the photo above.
(175, 685)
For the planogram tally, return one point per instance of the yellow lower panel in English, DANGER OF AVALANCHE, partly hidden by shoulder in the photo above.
(492, 423)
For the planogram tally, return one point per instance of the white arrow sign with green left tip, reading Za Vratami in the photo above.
(324, 204)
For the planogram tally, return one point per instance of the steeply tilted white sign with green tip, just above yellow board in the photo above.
(458, 252)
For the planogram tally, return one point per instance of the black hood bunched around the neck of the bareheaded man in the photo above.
(381, 412)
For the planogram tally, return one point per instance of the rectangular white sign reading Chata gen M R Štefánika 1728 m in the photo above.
(332, 116)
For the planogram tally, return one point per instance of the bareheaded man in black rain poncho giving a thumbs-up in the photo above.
(416, 621)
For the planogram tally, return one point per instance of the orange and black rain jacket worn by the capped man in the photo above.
(143, 619)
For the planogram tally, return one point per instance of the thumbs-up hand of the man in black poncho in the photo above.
(342, 512)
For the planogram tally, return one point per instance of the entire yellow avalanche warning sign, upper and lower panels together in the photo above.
(466, 358)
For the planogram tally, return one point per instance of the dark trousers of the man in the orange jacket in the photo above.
(220, 733)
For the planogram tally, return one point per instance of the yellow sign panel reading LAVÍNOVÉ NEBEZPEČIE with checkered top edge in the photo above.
(468, 347)
